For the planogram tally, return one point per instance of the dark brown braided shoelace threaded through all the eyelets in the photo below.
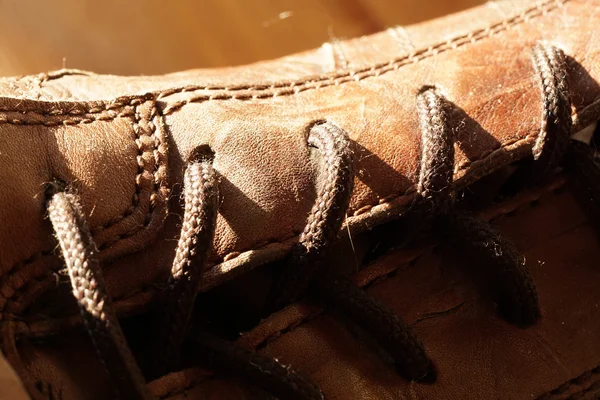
(515, 291)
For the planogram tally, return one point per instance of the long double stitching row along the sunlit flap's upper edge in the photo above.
(295, 87)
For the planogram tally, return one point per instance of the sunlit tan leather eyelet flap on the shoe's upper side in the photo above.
(122, 143)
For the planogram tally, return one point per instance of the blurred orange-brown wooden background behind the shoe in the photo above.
(157, 36)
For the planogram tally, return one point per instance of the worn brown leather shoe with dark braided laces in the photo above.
(419, 224)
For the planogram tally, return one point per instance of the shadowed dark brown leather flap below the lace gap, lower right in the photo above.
(477, 354)
